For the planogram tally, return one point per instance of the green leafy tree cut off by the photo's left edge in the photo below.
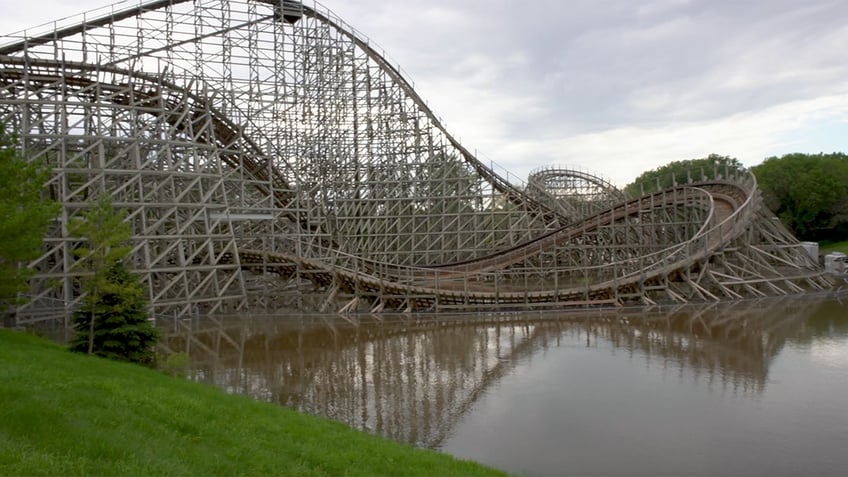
(24, 217)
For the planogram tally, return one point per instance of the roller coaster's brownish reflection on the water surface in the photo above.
(413, 379)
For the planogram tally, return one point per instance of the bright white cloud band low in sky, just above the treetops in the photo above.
(624, 152)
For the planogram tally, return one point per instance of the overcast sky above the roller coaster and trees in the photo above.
(614, 87)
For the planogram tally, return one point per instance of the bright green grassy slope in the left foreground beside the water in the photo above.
(68, 414)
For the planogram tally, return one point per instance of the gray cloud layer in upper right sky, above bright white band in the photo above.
(600, 64)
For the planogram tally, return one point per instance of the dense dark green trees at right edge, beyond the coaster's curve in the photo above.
(809, 192)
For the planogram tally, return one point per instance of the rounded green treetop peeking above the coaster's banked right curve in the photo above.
(683, 172)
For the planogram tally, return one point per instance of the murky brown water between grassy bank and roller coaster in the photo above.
(751, 388)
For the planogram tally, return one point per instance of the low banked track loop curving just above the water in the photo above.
(448, 283)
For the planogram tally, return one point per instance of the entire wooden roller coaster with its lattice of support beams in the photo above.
(271, 158)
